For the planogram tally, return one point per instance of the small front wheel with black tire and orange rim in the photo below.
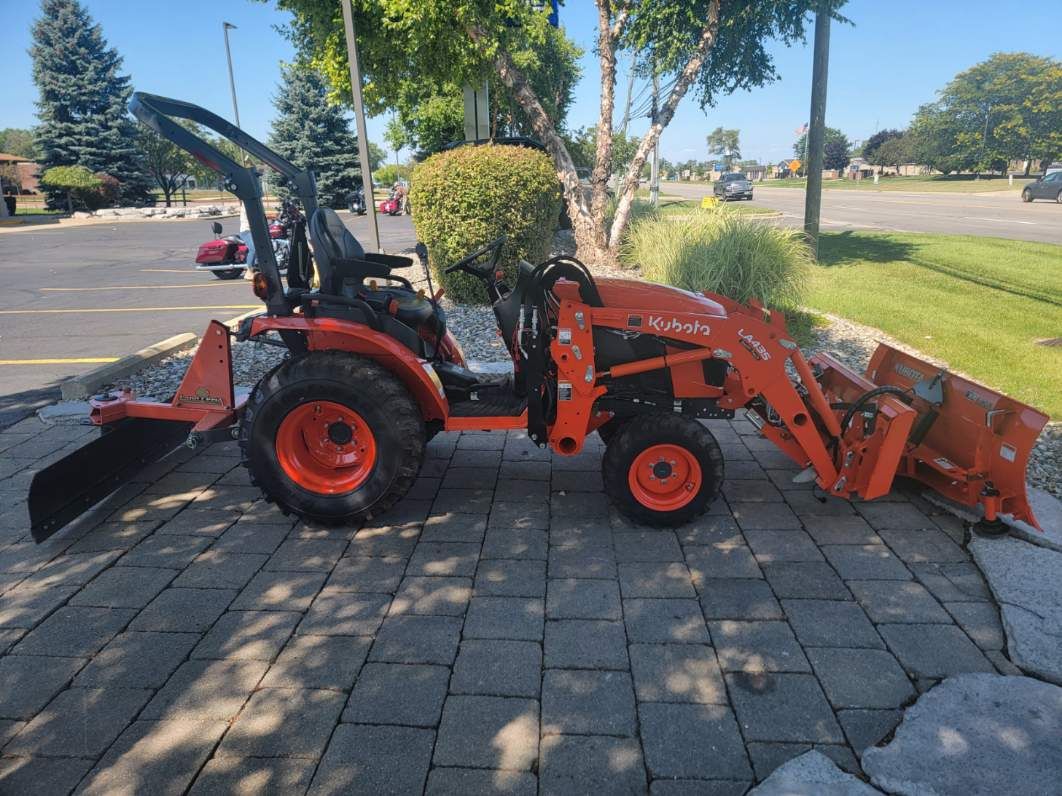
(663, 470)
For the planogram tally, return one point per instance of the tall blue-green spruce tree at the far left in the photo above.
(83, 99)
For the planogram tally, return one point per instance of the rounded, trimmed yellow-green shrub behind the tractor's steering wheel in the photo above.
(470, 196)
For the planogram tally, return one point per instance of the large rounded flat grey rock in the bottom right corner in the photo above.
(975, 734)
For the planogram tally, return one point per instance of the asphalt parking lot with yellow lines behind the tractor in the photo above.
(78, 297)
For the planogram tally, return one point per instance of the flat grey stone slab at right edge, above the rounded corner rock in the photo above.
(1026, 581)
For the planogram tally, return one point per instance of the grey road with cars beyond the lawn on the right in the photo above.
(1000, 215)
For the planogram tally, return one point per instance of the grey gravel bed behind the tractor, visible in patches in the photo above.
(474, 326)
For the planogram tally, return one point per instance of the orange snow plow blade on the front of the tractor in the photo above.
(969, 443)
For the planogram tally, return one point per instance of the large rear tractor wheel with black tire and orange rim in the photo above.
(333, 438)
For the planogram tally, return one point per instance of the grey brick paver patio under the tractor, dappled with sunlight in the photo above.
(503, 630)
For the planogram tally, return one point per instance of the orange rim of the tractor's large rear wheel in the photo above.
(327, 448)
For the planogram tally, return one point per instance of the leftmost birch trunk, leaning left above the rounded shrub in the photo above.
(588, 244)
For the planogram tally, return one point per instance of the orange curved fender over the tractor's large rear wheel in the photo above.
(334, 335)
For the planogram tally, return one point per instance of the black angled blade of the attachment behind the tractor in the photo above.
(62, 493)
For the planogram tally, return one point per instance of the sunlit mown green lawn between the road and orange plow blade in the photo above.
(980, 304)
